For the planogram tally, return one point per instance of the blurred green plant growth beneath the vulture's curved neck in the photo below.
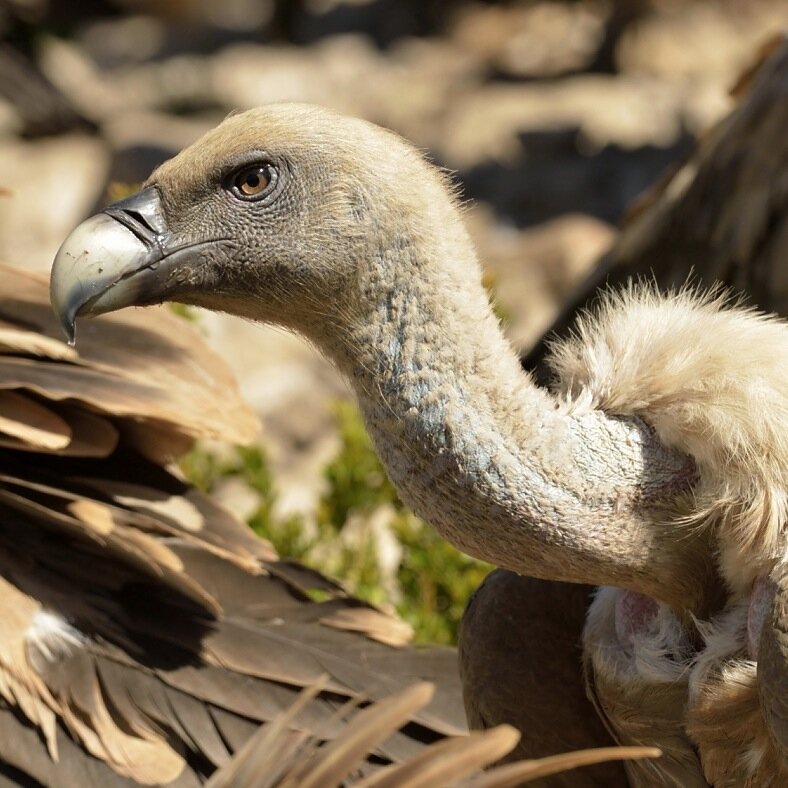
(432, 582)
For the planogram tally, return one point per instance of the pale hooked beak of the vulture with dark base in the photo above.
(123, 256)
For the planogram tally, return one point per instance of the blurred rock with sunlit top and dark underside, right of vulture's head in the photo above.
(546, 164)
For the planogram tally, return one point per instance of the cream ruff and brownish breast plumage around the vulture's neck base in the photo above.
(711, 378)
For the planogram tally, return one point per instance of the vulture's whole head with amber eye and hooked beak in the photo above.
(269, 216)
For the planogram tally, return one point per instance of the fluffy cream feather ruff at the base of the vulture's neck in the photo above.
(711, 377)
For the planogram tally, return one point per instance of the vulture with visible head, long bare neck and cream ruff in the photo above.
(655, 468)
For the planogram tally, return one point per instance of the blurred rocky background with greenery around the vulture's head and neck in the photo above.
(553, 116)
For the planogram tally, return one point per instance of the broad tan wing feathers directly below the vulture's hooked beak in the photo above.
(150, 365)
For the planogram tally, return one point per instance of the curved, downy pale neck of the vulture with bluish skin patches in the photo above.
(487, 457)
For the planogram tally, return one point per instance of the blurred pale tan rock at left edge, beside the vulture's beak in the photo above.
(49, 185)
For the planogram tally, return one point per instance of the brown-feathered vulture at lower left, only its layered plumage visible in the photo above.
(149, 638)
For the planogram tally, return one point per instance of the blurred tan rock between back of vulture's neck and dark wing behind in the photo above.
(532, 272)
